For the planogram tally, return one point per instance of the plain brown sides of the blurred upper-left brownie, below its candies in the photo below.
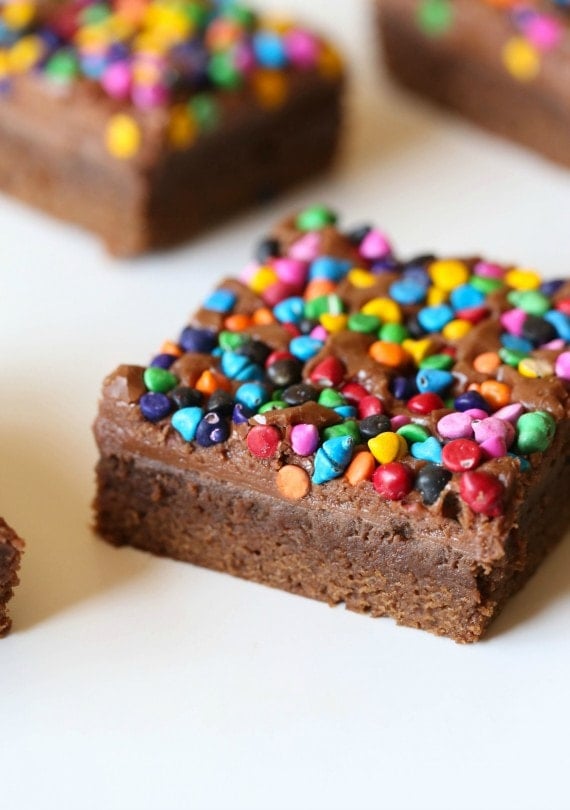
(240, 165)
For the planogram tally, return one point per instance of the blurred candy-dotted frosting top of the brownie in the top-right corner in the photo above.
(525, 41)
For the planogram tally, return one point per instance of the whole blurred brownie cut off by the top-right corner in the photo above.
(501, 63)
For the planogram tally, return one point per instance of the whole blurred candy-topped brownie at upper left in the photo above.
(146, 121)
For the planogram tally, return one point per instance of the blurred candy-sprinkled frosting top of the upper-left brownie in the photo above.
(152, 75)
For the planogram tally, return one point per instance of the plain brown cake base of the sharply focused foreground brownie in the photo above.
(382, 571)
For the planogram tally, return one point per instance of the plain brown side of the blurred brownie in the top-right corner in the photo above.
(489, 97)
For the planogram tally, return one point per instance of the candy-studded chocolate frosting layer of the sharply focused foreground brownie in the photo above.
(431, 385)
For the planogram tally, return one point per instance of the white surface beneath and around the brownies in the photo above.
(133, 683)
